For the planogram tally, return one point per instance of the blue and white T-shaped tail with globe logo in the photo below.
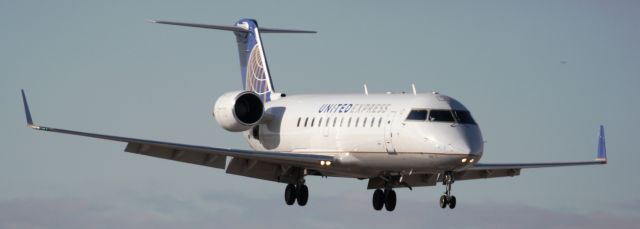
(253, 61)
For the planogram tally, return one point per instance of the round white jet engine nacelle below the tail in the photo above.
(238, 110)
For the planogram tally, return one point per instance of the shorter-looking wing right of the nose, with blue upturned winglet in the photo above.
(481, 170)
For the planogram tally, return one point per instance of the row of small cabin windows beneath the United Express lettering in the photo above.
(339, 122)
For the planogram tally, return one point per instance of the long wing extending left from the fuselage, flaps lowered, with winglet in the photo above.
(243, 160)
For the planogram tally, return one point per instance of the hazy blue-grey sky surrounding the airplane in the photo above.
(538, 76)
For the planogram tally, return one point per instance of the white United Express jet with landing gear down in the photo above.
(395, 140)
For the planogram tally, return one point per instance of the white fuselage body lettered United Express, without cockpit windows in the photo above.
(370, 134)
